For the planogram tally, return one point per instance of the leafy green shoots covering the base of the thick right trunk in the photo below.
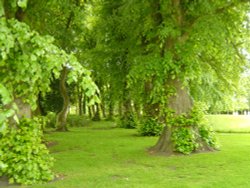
(190, 132)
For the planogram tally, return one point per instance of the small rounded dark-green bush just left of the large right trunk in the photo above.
(150, 127)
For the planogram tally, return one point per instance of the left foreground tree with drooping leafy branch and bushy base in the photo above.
(27, 63)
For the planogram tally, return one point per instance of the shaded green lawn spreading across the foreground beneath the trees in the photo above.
(101, 156)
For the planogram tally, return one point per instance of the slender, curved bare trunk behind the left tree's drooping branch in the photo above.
(61, 120)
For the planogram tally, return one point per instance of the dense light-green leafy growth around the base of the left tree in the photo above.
(24, 159)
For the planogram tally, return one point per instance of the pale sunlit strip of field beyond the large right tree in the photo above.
(230, 123)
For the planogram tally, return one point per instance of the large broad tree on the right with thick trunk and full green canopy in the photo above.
(175, 49)
